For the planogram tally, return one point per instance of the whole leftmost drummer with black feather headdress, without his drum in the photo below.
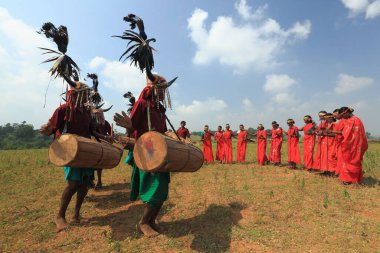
(73, 117)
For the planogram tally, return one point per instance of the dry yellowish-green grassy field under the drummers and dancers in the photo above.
(221, 208)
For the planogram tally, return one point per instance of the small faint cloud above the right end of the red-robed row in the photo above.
(347, 83)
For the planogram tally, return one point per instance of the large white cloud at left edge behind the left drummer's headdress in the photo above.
(23, 79)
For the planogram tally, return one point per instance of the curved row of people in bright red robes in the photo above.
(340, 147)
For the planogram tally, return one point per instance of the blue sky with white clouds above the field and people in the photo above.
(238, 61)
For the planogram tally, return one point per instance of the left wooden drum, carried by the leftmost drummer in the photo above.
(76, 151)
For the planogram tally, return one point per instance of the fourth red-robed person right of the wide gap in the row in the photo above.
(308, 142)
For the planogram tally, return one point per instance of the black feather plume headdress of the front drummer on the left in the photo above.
(63, 64)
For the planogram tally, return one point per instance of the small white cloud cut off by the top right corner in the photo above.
(370, 8)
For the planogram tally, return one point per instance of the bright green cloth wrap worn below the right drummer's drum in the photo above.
(153, 188)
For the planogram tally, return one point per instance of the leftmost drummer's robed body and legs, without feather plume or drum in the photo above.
(73, 117)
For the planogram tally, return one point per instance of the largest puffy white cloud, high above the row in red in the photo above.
(242, 46)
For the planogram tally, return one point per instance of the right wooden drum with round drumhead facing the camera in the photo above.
(154, 151)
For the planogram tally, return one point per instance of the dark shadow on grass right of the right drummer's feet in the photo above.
(212, 229)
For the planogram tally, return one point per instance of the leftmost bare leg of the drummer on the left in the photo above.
(67, 194)
